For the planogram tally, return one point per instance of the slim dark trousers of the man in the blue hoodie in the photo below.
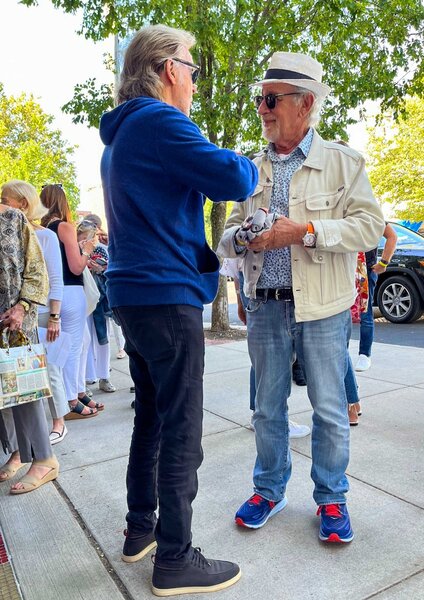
(165, 345)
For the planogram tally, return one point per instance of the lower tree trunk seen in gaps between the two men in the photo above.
(220, 320)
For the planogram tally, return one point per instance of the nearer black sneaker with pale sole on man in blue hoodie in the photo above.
(199, 575)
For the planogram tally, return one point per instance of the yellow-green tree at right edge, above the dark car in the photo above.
(396, 153)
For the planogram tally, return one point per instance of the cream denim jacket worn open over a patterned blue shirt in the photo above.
(332, 191)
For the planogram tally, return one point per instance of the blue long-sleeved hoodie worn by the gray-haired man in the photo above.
(156, 169)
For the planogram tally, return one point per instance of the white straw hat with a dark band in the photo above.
(296, 69)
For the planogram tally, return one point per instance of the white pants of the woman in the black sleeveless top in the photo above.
(73, 322)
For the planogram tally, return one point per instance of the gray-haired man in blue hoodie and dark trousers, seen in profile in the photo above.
(157, 168)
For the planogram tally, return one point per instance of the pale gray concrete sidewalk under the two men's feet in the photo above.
(64, 540)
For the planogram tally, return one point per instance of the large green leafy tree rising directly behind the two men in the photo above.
(365, 47)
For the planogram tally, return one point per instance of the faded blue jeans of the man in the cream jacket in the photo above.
(272, 330)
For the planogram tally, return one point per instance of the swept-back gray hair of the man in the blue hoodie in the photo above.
(144, 58)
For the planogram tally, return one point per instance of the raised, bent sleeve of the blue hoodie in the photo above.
(190, 158)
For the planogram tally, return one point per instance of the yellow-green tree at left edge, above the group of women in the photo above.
(31, 149)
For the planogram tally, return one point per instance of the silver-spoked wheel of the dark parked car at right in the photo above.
(398, 300)
